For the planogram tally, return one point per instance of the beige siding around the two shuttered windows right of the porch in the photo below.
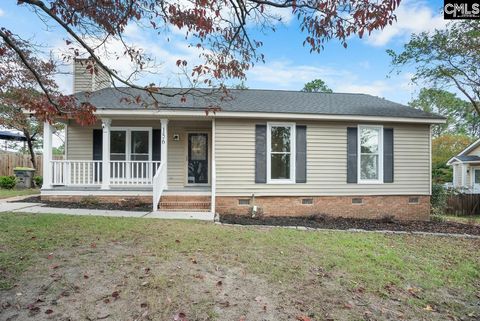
(326, 161)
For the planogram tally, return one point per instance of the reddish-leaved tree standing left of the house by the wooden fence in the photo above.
(18, 93)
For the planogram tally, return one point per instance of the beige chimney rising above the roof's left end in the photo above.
(84, 80)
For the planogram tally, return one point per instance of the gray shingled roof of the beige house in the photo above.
(255, 100)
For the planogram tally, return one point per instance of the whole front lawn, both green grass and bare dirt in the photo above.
(61, 267)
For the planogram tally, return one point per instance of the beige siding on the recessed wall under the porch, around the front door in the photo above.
(80, 143)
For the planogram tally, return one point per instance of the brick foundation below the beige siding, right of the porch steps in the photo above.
(337, 206)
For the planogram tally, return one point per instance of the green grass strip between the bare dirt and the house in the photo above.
(281, 255)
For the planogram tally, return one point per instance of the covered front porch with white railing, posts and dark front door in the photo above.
(139, 157)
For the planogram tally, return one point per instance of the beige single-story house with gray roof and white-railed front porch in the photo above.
(284, 152)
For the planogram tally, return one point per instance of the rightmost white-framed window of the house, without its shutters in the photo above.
(370, 154)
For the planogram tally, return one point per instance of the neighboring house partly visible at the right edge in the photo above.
(466, 169)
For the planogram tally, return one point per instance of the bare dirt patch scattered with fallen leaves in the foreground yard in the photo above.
(122, 281)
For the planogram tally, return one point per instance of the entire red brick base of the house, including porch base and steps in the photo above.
(337, 206)
